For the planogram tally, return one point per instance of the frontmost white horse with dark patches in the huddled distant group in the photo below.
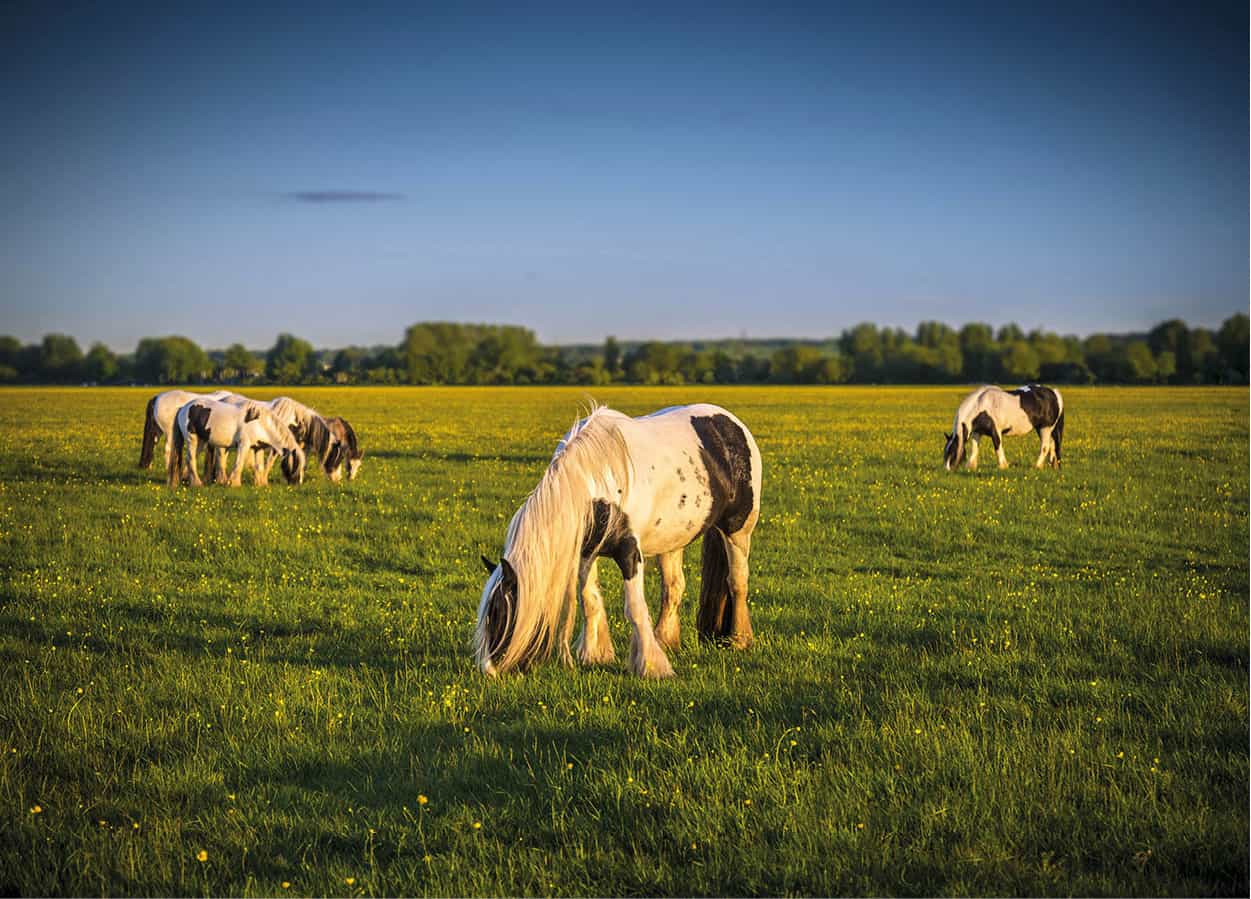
(222, 427)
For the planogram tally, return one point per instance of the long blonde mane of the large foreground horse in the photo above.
(546, 537)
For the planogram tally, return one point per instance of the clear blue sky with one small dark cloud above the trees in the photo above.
(671, 172)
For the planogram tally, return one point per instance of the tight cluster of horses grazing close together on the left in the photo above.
(260, 432)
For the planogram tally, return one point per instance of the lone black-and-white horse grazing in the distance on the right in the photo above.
(995, 413)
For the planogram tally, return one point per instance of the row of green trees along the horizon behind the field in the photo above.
(452, 353)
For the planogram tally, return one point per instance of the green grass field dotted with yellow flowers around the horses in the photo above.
(1003, 683)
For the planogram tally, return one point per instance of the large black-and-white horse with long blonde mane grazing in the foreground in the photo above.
(627, 490)
